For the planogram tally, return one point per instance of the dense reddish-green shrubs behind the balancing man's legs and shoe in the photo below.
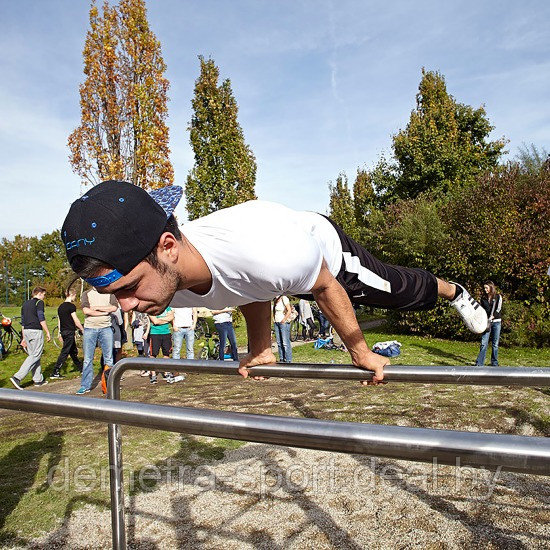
(497, 228)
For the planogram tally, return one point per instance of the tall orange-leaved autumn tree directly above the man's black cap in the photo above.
(123, 100)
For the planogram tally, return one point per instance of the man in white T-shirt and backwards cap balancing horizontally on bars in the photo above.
(242, 256)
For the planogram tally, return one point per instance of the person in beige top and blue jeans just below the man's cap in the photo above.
(97, 329)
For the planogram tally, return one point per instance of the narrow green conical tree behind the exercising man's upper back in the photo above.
(224, 173)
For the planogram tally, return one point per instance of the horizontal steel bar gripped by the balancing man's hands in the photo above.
(506, 376)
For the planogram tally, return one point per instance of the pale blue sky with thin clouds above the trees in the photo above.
(321, 85)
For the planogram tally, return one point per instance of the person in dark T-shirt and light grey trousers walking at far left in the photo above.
(34, 326)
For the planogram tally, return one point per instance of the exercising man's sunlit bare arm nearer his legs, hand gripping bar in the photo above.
(336, 306)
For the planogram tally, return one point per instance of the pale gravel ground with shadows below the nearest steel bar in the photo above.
(262, 496)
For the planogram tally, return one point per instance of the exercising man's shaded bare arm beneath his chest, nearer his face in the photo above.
(258, 324)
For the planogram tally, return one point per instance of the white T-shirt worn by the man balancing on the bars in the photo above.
(258, 250)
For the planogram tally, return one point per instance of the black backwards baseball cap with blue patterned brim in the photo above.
(118, 223)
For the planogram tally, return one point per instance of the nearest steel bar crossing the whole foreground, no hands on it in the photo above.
(511, 452)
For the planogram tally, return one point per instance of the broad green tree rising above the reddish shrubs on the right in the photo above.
(445, 145)
